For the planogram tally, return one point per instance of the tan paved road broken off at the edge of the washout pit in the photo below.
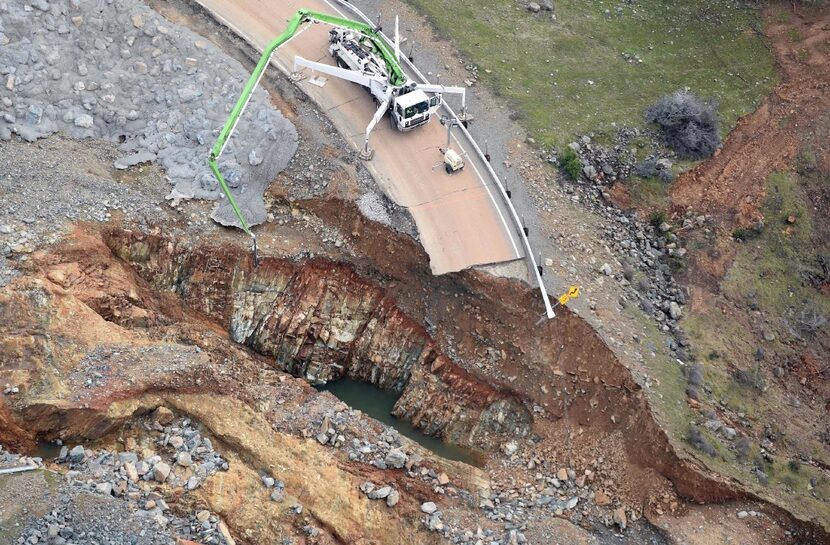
(459, 217)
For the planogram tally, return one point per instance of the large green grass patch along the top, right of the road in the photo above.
(543, 67)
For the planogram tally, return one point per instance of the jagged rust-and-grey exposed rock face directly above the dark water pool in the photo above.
(324, 322)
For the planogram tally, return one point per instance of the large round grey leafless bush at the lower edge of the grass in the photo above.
(689, 124)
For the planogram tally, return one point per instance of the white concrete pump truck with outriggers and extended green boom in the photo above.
(362, 56)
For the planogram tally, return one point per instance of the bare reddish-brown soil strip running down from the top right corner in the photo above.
(730, 186)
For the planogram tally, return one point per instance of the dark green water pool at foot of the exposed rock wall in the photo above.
(378, 404)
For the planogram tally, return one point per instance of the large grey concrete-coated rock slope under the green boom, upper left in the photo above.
(119, 71)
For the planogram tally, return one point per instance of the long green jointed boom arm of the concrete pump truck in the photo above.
(396, 77)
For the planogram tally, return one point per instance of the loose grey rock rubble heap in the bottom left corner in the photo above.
(109, 497)
